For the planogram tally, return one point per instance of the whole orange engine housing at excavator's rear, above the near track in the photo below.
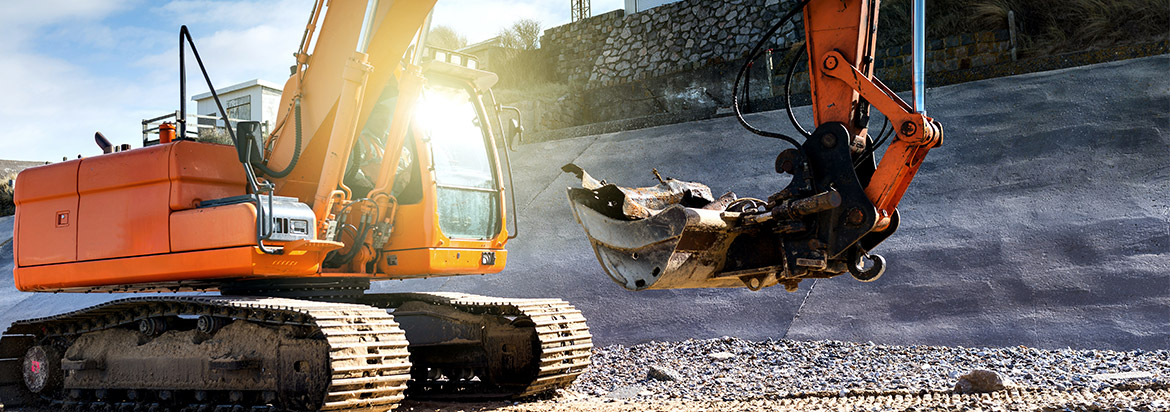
(77, 218)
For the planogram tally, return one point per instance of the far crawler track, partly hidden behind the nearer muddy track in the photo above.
(561, 349)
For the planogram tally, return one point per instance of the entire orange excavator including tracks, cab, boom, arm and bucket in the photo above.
(383, 164)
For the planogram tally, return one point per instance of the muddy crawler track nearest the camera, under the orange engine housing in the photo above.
(368, 360)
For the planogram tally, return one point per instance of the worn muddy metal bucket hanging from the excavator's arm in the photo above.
(672, 236)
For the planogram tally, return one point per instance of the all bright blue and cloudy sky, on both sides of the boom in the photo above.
(71, 68)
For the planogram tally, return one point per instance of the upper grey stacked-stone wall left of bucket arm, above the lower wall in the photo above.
(616, 49)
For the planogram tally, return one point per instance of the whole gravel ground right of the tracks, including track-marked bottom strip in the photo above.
(735, 375)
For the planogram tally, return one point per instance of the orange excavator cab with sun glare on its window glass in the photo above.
(451, 195)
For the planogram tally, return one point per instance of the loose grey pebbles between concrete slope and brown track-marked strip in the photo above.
(732, 369)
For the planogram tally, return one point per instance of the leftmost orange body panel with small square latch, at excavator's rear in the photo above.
(46, 226)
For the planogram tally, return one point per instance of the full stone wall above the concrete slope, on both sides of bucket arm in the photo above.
(682, 59)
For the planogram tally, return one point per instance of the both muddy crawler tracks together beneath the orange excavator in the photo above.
(329, 358)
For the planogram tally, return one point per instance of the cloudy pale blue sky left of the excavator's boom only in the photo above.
(52, 106)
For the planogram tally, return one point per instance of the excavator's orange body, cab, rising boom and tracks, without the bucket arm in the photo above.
(382, 166)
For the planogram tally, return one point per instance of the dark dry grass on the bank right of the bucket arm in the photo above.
(1043, 26)
